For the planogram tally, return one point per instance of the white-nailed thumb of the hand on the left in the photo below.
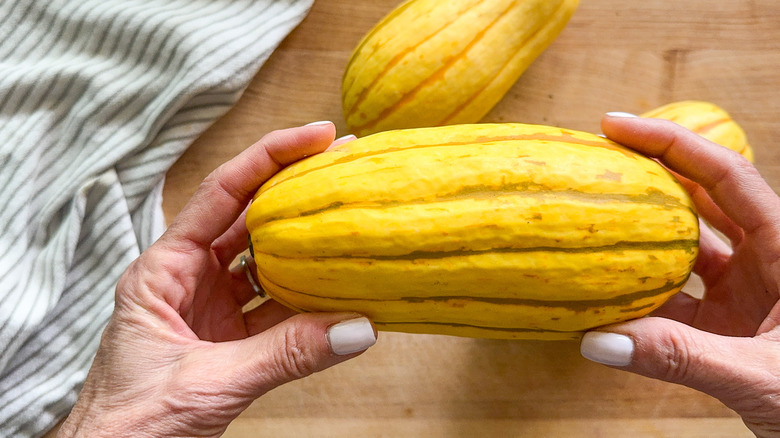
(295, 348)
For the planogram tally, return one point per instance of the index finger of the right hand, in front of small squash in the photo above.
(732, 182)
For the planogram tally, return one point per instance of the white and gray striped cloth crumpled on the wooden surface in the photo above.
(98, 98)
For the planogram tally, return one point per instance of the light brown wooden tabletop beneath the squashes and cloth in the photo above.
(614, 55)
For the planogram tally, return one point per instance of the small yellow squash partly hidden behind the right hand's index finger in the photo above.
(708, 120)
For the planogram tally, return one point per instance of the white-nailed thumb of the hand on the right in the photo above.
(674, 352)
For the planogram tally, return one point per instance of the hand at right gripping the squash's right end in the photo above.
(728, 343)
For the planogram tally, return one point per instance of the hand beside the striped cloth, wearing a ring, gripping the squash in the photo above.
(179, 357)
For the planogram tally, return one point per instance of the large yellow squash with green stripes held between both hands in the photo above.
(499, 231)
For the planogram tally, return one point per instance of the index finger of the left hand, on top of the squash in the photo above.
(225, 193)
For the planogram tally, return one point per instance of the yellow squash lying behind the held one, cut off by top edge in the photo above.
(441, 62)
